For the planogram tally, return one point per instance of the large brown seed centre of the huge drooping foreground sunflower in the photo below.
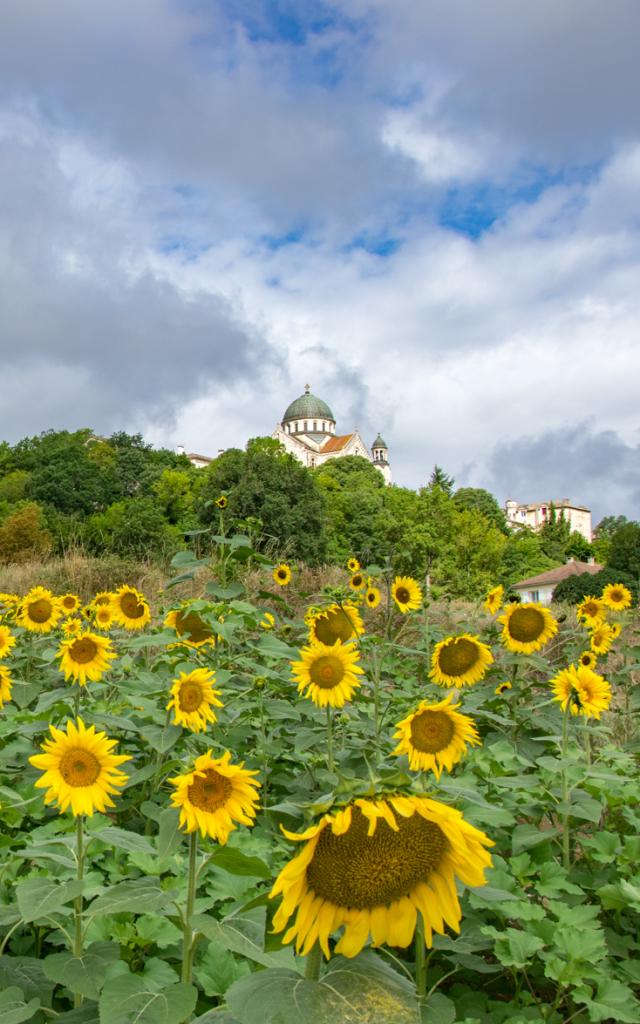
(362, 872)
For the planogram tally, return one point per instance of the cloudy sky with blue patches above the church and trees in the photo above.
(429, 212)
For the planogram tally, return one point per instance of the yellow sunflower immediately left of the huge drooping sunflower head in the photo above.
(216, 795)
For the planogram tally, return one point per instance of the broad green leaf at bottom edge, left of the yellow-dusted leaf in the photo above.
(129, 1001)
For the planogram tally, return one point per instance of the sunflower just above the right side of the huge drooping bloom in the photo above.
(436, 737)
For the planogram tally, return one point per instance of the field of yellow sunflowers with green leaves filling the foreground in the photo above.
(270, 806)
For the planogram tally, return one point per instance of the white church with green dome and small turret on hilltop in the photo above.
(309, 433)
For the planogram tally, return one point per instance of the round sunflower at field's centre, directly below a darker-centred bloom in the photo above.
(328, 673)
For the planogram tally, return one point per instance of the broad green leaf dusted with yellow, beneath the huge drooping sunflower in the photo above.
(364, 990)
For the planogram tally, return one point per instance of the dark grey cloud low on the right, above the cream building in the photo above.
(594, 468)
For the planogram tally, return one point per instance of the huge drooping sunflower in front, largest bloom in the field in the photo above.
(372, 867)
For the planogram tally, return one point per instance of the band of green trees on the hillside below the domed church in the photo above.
(63, 491)
